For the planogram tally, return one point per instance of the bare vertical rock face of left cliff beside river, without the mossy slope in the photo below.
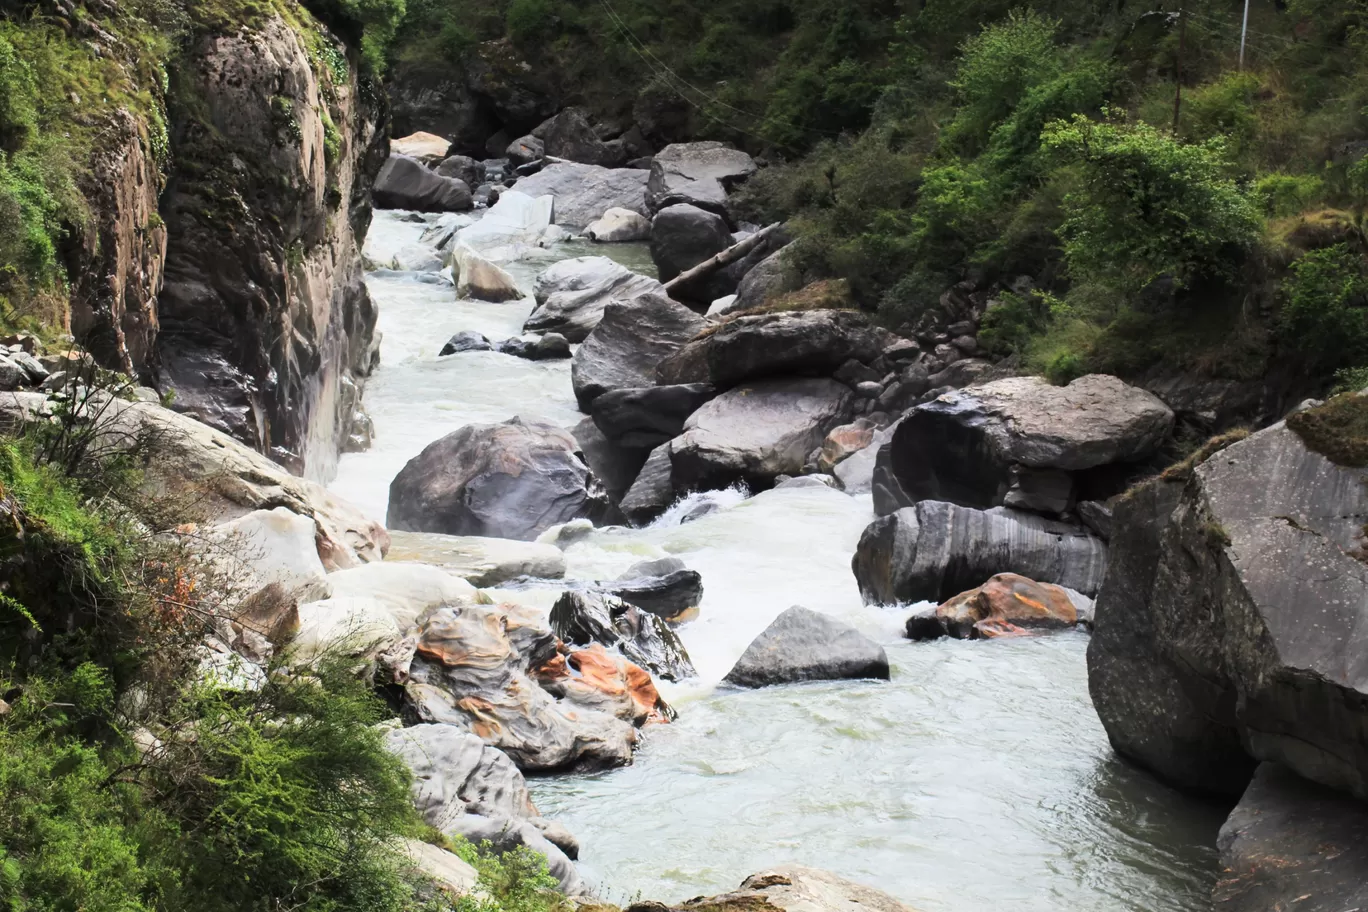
(266, 326)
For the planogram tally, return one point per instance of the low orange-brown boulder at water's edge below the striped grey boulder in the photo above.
(1008, 605)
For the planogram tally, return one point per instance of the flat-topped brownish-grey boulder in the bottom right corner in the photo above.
(1292, 844)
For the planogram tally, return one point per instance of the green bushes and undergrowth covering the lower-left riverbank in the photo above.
(132, 780)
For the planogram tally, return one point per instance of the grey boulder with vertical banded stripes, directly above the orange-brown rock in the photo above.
(935, 552)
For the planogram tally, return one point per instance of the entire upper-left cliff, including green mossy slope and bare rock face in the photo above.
(188, 184)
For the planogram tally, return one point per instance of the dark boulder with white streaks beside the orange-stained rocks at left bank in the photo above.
(583, 619)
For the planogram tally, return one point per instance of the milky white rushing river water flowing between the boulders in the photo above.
(977, 780)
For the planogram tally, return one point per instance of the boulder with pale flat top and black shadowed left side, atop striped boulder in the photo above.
(1018, 442)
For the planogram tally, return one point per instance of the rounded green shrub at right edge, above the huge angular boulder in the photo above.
(1325, 310)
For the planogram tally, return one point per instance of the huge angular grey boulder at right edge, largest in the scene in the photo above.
(1233, 620)
